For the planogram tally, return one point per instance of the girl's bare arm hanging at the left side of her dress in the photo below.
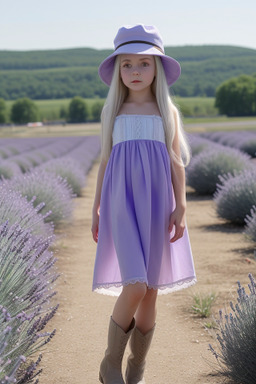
(96, 205)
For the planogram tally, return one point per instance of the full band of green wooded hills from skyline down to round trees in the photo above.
(59, 74)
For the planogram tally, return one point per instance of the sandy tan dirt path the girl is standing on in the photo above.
(179, 351)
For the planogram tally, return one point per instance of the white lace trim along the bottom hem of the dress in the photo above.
(114, 289)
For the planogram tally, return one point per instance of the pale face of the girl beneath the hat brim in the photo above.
(137, 71)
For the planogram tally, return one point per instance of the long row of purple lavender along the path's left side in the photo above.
(40, 177)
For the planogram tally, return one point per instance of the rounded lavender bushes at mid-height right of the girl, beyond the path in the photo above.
(229, 174)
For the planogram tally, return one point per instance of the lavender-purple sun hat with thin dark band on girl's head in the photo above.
(139, 39)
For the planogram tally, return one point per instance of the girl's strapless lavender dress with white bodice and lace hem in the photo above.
(136, 202)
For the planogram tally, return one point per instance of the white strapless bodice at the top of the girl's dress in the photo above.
(138, 127)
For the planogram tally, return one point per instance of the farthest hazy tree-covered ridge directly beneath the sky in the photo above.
(89, 57)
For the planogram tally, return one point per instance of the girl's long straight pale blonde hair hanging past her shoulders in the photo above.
(169, 112)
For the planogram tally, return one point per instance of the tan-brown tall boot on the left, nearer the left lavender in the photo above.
(111, 365)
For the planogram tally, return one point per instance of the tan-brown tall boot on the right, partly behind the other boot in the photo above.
(136, 363)
